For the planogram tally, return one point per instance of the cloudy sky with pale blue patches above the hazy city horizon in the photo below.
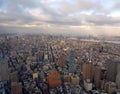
(74, 17)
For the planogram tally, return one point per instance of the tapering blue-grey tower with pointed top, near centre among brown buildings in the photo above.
(71, 62)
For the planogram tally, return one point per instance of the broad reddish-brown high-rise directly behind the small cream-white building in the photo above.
(87, 70)
